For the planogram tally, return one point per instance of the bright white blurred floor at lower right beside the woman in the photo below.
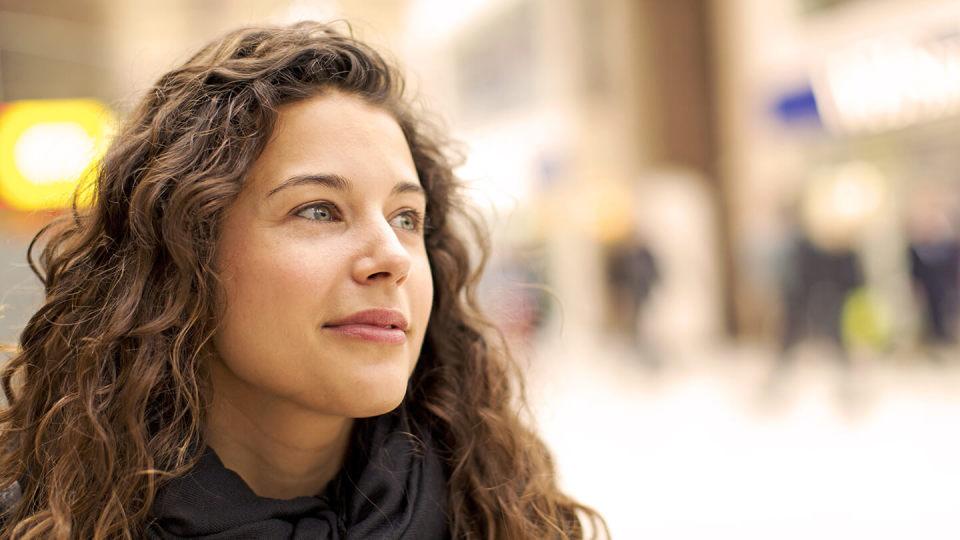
(731, 443)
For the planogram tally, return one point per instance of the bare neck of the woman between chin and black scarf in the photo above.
(279, 448)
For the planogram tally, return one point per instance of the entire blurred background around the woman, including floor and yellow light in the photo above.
(727, 233)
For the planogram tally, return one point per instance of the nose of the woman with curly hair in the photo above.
(383, 258)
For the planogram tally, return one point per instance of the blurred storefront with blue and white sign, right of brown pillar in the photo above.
(836, 121)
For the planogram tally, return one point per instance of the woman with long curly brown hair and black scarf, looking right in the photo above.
(265, 326)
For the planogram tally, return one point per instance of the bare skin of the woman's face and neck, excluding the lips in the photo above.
(286, 387)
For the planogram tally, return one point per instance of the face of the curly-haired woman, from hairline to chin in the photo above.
(328, 287)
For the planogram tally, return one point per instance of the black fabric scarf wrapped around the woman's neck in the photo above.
(392, 487)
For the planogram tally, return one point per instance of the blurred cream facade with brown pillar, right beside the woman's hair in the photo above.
(590, 128)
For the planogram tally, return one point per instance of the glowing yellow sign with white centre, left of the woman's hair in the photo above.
(47, 148)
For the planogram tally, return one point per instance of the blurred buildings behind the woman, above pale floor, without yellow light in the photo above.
(783, 166)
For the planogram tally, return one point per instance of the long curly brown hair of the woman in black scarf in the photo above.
(108, 389)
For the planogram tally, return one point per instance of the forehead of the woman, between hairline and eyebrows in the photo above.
(334, 133)
